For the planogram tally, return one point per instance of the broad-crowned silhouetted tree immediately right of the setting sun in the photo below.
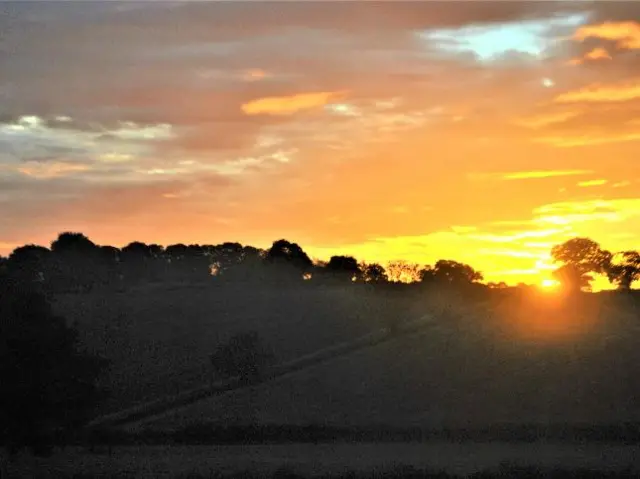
(585, 256)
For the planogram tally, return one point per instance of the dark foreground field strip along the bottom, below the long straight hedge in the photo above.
(442, 459)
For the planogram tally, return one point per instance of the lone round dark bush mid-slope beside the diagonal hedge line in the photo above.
(243, 356)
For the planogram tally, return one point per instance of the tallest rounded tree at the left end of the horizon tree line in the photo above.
(74, 261)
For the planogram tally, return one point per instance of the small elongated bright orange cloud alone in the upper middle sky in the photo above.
(287, 105)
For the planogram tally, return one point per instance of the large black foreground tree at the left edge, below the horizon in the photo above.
(48, 384)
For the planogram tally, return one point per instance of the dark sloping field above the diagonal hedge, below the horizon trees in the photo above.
(159, 338)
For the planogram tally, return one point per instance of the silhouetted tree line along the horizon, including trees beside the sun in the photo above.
(75, 263)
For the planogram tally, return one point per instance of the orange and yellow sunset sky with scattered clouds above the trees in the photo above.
(484, 132)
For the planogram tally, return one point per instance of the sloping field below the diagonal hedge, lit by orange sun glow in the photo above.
(471, 372)
